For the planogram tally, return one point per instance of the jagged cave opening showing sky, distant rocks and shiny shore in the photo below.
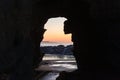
(57, 48)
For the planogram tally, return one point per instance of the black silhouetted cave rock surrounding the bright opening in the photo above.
(96, 35)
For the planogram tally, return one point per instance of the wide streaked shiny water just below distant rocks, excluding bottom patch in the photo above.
(58, 63)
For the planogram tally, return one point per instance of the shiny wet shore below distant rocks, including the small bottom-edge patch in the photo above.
(55, 64)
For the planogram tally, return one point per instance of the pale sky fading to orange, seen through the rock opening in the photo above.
(55, 32)
